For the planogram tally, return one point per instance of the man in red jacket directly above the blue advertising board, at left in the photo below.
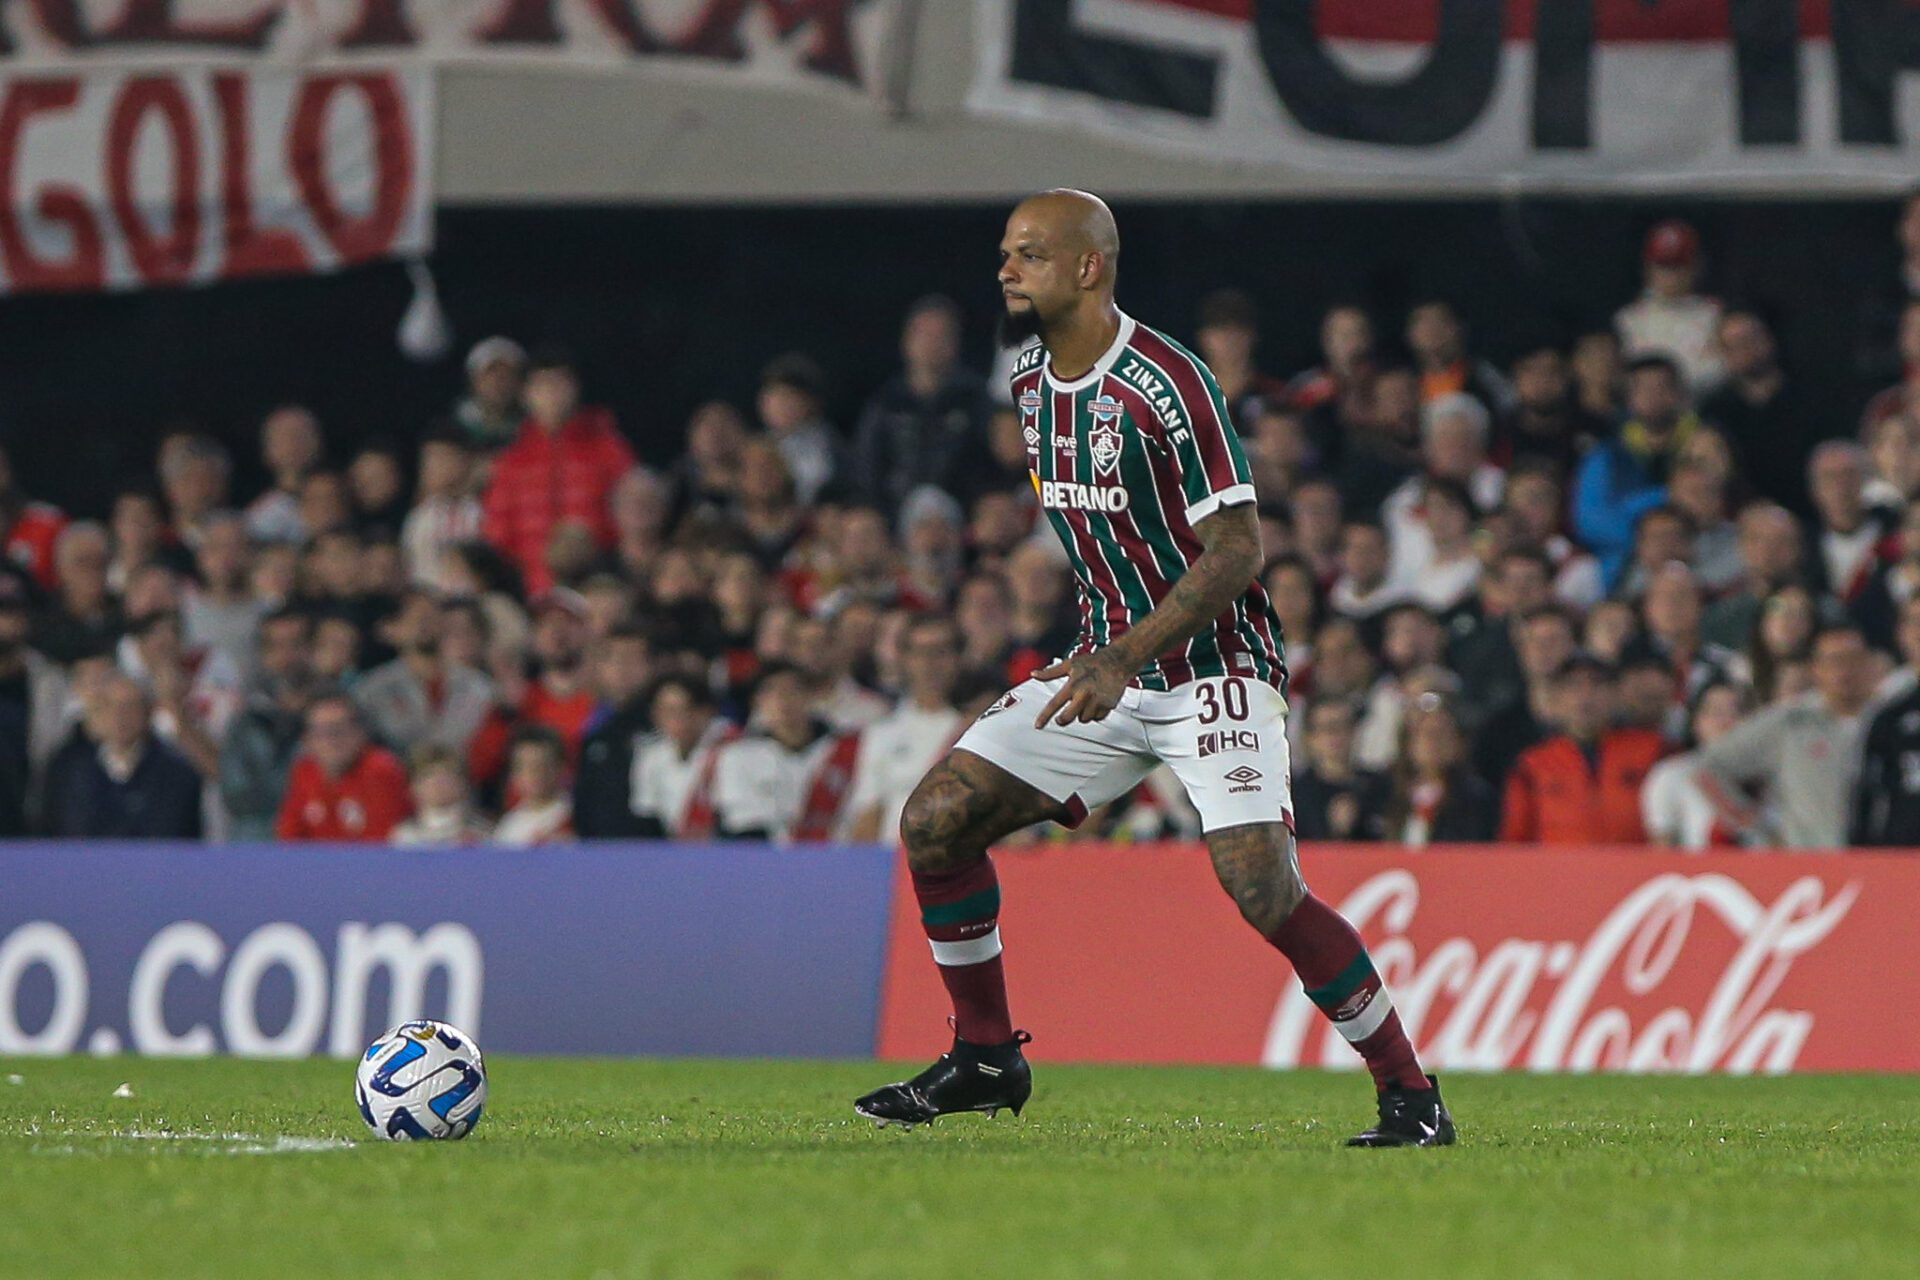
(343, 788)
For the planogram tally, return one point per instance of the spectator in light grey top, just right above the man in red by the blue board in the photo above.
(423, 699)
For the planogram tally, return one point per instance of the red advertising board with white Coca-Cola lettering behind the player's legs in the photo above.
(1499, 959)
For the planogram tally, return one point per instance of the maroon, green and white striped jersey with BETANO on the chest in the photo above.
(1126, 462)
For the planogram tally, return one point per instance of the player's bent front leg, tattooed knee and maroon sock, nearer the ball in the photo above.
(955, 815)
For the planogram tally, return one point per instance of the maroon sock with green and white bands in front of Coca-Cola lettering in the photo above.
(1339, 976)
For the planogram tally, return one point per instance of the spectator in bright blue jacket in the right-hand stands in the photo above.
(1625, 477)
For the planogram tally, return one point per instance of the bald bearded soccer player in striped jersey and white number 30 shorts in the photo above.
(1178, 661)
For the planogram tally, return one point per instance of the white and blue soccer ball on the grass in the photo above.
(421, 1081)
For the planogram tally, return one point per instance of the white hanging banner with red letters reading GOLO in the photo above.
(133, 179)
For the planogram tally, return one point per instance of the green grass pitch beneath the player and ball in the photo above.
(759, 1172)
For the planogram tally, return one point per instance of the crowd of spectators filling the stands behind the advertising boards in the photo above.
(1629, 588)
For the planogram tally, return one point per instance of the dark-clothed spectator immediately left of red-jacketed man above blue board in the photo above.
(264, 740)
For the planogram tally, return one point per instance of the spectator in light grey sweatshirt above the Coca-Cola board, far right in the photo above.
(1802, 755)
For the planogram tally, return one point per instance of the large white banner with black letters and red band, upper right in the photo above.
(1479, 95)
